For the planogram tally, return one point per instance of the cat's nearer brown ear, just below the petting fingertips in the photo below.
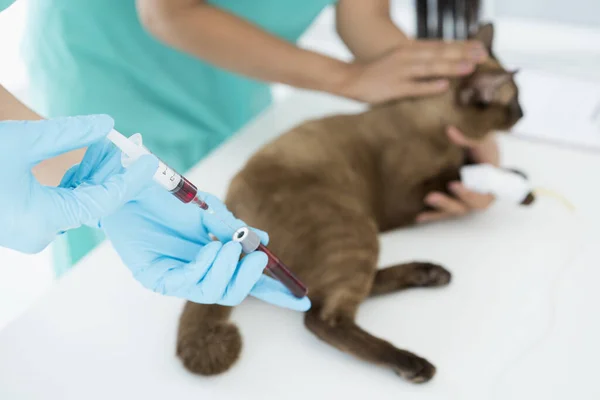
(481, 88)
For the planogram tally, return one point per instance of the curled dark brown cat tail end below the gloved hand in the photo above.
(207, 343)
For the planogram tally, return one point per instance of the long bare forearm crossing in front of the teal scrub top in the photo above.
(234, 44)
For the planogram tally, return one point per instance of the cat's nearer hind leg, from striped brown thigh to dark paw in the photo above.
(344, 260)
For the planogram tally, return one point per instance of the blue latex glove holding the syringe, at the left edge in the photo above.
(31, 215)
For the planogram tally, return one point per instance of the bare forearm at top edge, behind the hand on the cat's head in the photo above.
(367, 29)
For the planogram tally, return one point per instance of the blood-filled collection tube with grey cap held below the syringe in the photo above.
(250, 242)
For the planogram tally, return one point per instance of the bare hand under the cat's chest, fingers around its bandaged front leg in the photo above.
(464, 200)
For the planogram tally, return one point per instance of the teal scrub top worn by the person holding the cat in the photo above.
(94, 56)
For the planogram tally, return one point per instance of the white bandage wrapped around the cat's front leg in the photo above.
(503, 184)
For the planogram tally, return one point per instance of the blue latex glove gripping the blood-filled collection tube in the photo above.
(166, 244)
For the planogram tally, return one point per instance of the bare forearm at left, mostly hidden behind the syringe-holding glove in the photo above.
(48, 172)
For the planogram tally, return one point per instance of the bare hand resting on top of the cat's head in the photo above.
(417, 68)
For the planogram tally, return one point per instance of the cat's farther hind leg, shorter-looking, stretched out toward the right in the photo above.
(409, 275)
